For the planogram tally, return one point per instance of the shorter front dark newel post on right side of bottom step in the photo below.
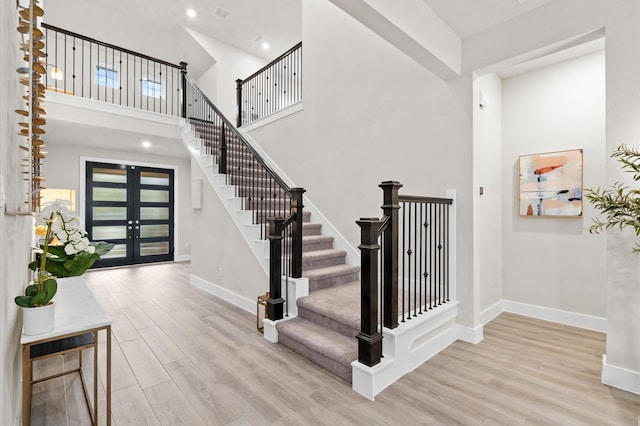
(369, 338)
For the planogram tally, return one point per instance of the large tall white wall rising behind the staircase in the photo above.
(372, 114)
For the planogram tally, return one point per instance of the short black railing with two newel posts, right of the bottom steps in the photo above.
(409, 248)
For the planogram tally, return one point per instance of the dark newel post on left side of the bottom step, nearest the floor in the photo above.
(275, 303)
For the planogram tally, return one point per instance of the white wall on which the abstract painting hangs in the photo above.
(555, 262)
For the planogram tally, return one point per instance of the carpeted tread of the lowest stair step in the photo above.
(326, 342)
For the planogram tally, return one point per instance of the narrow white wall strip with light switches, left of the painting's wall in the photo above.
(487, 208)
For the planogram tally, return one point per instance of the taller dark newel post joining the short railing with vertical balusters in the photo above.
(390, 207)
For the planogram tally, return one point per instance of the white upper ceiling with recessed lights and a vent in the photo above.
(279, 22)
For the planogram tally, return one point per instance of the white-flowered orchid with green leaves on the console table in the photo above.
(69, 254)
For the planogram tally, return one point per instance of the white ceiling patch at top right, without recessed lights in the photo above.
(469, 17)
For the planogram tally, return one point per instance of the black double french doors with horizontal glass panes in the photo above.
(132, 207)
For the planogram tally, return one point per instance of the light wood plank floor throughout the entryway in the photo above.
(183, 357)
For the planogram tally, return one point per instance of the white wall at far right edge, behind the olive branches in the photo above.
(623, 125)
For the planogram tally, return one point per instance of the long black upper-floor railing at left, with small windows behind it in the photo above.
(81, 66)
